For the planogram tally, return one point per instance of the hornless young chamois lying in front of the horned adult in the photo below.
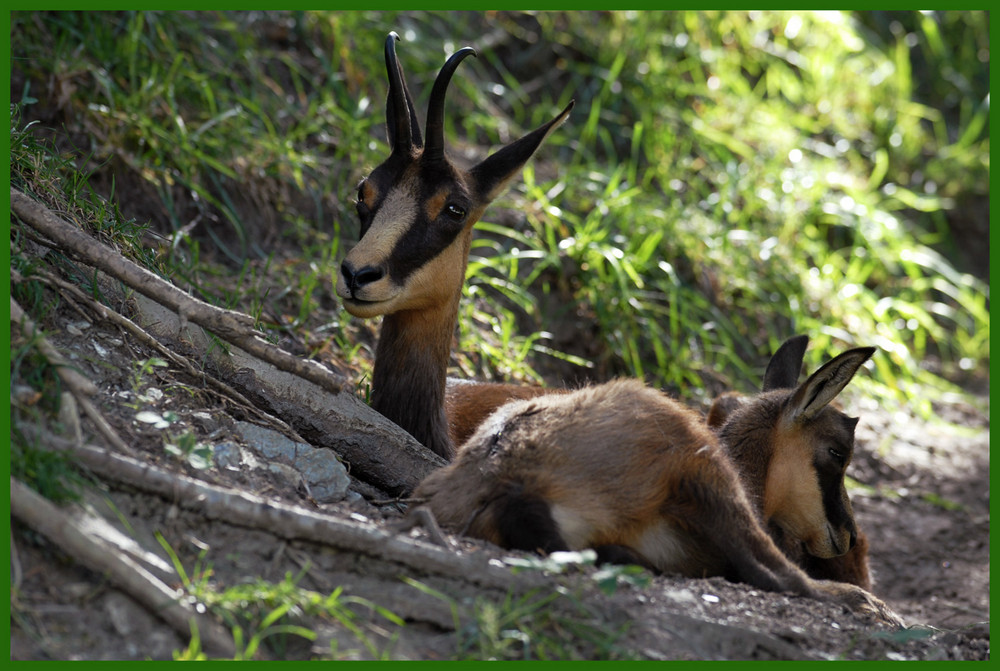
(625, 470)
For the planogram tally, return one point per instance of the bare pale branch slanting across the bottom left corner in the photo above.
(68, 533)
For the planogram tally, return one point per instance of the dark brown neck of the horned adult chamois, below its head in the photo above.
(411, 364)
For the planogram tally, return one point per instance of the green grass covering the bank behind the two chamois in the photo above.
(726, 179)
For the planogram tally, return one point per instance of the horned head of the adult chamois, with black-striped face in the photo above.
(417, 208)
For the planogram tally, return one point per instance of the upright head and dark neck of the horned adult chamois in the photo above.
(417, 210)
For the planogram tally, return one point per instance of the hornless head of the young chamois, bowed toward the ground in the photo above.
(792, 449)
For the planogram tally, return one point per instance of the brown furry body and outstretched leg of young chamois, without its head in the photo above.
(618, 466)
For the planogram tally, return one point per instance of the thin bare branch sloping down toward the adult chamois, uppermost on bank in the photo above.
(234, 327)
